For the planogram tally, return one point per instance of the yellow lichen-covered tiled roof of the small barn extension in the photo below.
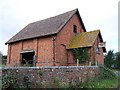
(84, 39)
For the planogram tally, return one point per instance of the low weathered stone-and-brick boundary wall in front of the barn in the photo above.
(45, 76)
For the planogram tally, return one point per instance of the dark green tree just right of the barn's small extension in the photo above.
(109, 59)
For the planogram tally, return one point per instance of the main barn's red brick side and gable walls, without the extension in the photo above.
(44, 46)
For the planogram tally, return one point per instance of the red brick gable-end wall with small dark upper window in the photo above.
(64, 37)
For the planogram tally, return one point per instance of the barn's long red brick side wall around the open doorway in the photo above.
(43, 48)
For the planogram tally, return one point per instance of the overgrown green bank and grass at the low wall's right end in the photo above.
(105, 79)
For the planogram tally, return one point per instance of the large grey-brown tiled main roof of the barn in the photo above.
(45, 27)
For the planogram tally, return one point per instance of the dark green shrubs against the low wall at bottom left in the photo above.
(12, 81)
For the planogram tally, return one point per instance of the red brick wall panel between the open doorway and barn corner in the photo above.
(45, 51)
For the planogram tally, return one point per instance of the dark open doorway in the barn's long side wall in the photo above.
(27, 58)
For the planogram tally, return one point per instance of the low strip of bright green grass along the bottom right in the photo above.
(95, 83)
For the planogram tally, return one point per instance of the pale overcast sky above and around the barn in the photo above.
(96, 14)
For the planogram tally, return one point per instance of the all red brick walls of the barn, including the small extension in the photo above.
(51, 50)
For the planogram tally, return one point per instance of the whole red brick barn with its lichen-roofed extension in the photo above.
(50, 42)
